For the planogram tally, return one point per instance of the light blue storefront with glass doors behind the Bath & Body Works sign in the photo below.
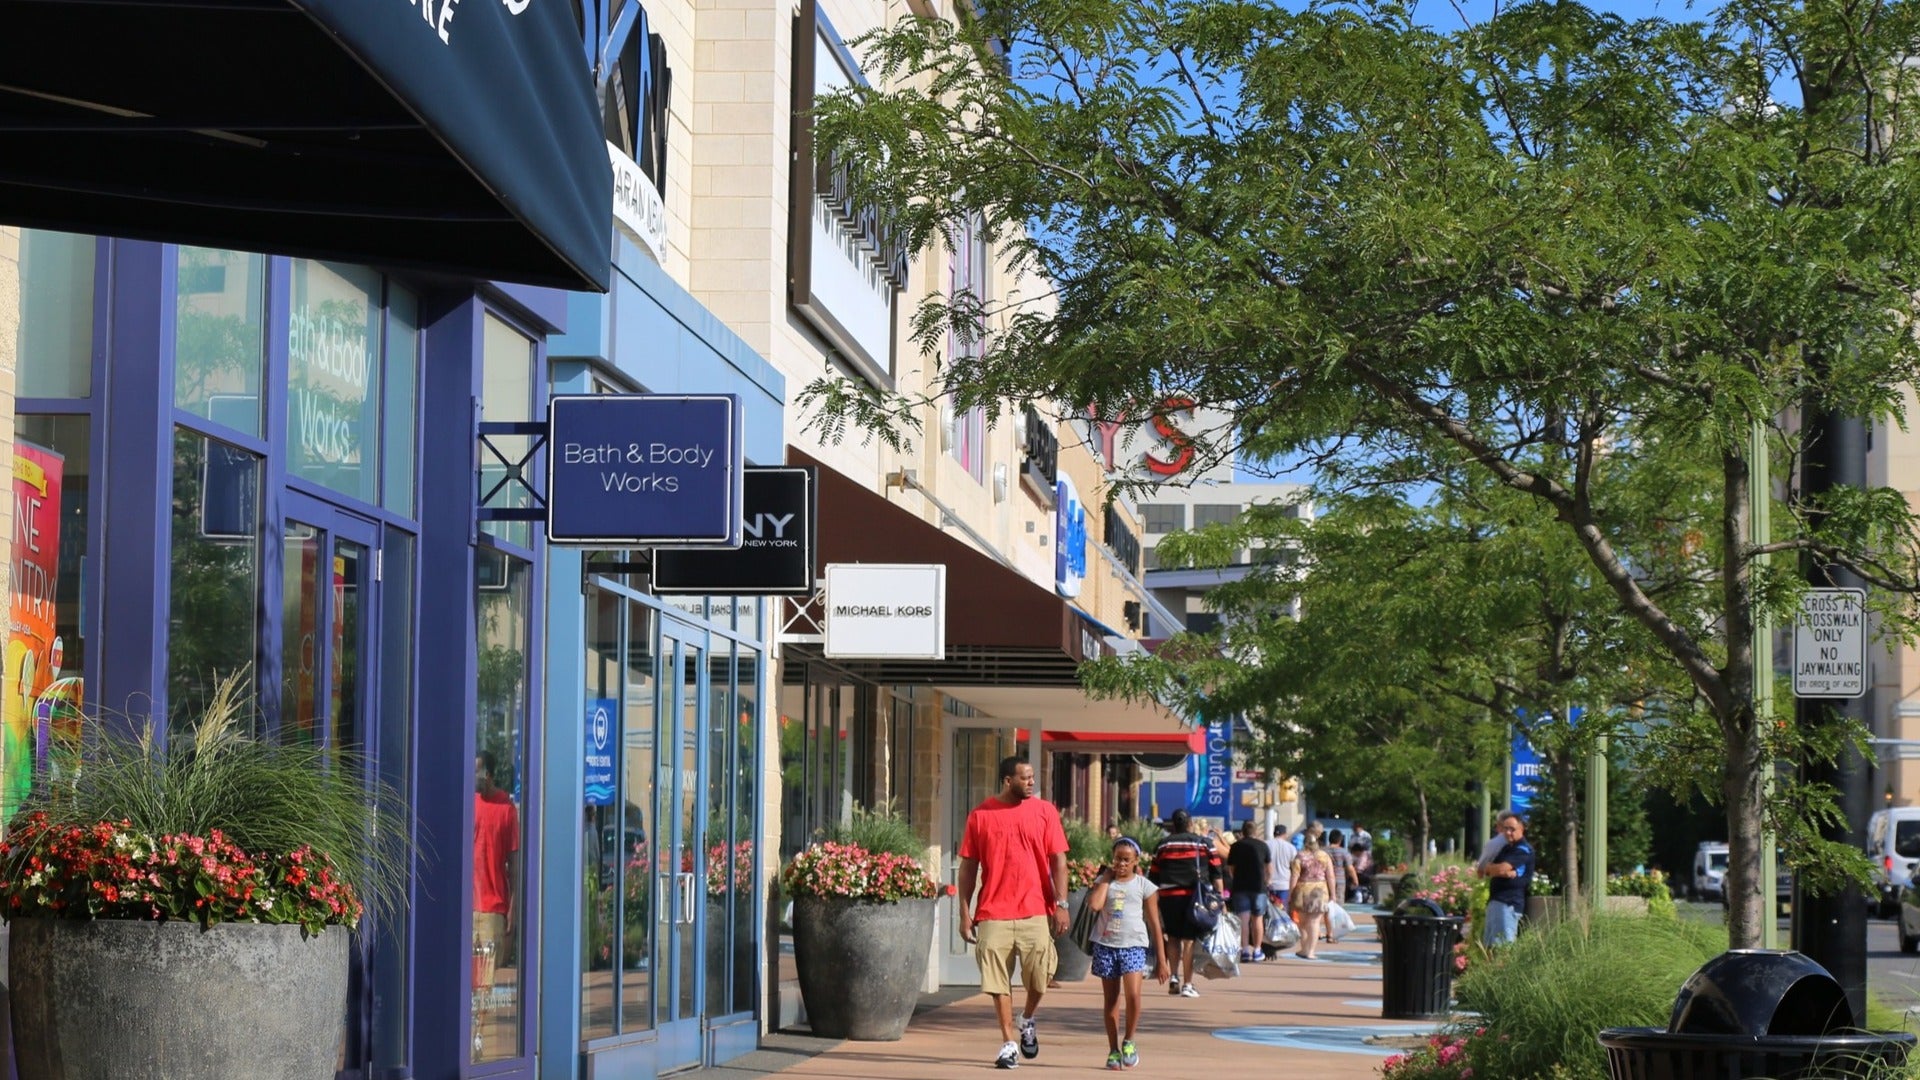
(656, 720)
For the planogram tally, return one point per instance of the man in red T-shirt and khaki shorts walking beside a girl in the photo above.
(1017, 852)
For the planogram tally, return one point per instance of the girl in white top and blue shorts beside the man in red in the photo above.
(1130, 923)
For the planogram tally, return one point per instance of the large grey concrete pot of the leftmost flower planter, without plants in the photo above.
(120, 998)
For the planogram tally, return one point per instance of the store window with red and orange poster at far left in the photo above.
(47, 650)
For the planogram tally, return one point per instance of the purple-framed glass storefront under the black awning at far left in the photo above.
(264, 468)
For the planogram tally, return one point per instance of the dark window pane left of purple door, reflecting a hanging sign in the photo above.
(214, 574)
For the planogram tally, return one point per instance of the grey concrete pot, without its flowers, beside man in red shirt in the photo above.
(861, 964)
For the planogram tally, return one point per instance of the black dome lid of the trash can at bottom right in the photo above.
(1762, 993)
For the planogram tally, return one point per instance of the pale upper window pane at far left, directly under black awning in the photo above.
(57, 314)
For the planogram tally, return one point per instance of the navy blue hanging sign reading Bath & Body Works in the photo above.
(646, 470)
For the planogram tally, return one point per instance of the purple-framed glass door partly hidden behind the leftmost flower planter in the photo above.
(329, 675)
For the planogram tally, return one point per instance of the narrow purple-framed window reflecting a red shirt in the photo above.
(504, 631)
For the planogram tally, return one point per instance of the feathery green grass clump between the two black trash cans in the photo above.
(1545, 998)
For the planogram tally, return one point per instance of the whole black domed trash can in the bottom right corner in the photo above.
(1750, 1016)
